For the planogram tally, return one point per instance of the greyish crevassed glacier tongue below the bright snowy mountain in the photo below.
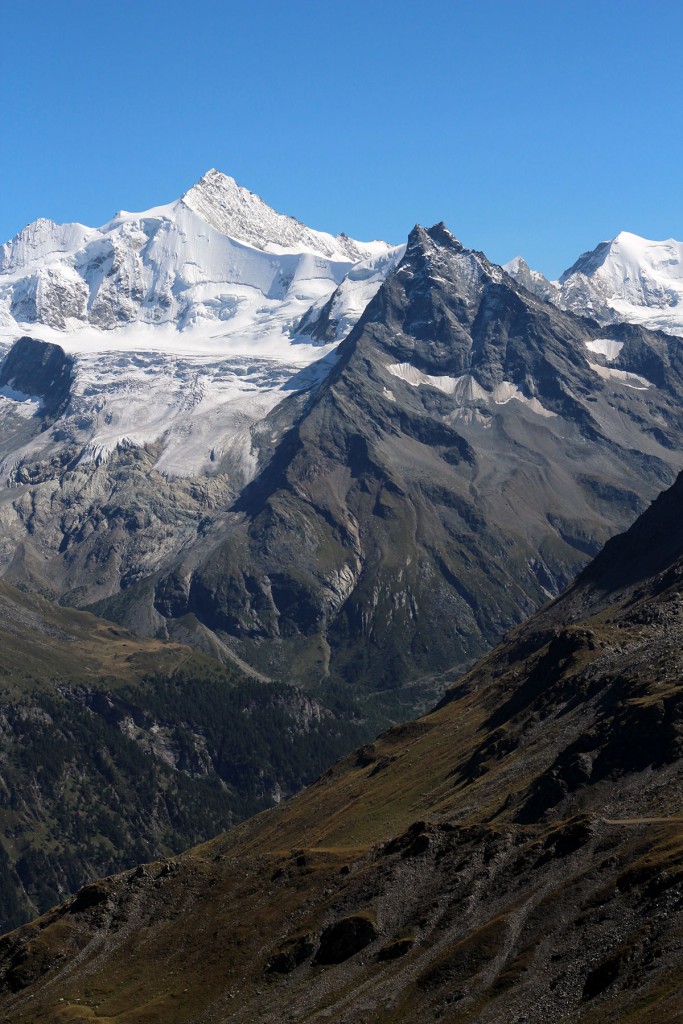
(203, 408)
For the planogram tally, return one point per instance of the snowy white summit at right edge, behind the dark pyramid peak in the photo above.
(629, 279)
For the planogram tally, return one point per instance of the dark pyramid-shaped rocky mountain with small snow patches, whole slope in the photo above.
(347, 540)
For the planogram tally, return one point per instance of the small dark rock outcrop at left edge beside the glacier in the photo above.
(42, 370)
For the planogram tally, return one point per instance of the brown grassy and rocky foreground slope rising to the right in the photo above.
(517, 855)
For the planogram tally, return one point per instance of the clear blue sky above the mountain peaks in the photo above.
(537, 127)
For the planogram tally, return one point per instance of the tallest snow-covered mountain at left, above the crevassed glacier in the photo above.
(219, 259)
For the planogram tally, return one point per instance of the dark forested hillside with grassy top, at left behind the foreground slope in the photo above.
(116, 749)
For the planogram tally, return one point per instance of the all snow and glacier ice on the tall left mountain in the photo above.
(183, 319)
